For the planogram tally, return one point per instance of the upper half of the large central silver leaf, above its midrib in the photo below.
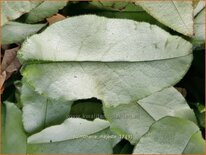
(103, 39)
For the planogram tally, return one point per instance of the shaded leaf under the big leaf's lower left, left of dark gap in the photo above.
(40, 112)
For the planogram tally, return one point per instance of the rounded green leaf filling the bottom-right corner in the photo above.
(171, 135)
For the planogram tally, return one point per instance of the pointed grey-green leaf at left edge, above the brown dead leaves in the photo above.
(14, 32)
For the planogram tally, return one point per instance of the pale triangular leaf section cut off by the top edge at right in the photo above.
(178, 15)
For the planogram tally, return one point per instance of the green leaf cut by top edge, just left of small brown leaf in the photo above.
(44, 10)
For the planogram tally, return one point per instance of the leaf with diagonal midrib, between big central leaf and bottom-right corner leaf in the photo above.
(135, 119)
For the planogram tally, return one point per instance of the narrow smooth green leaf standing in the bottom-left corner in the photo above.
(13, 136)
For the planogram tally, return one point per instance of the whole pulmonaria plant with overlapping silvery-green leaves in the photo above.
(128, 65)
